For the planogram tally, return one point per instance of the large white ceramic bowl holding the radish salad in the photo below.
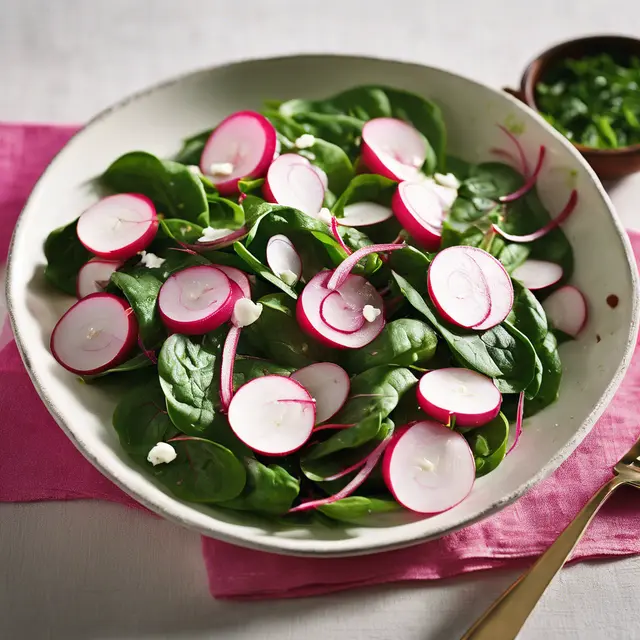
(157, 120)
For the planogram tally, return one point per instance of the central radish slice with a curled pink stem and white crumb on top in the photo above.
(309, 315)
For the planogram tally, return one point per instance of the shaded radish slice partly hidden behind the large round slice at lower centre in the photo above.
(328, 383)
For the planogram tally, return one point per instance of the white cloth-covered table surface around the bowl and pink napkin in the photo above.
(89, 570)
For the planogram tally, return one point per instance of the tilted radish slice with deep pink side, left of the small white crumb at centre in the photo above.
(196, 300)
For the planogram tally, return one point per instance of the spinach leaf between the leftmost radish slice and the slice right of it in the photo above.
(141, 289)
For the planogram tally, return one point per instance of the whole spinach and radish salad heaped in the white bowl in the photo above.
(315, 310)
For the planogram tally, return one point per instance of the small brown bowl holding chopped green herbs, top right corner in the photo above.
(609, 164)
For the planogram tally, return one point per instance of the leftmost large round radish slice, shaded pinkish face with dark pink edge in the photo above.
(95, 334)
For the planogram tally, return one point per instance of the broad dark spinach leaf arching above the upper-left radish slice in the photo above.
(176, 192)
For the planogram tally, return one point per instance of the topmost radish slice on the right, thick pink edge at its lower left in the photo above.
(393, 148)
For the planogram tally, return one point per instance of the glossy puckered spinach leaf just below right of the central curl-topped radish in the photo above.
(402, 342)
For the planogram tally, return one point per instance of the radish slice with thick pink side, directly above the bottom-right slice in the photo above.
(470, 397)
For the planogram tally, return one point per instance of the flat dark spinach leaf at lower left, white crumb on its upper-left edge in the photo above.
(203, 471)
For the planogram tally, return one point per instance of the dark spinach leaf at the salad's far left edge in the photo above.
(65, 255)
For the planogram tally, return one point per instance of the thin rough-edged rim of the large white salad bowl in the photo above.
(353, 546)
